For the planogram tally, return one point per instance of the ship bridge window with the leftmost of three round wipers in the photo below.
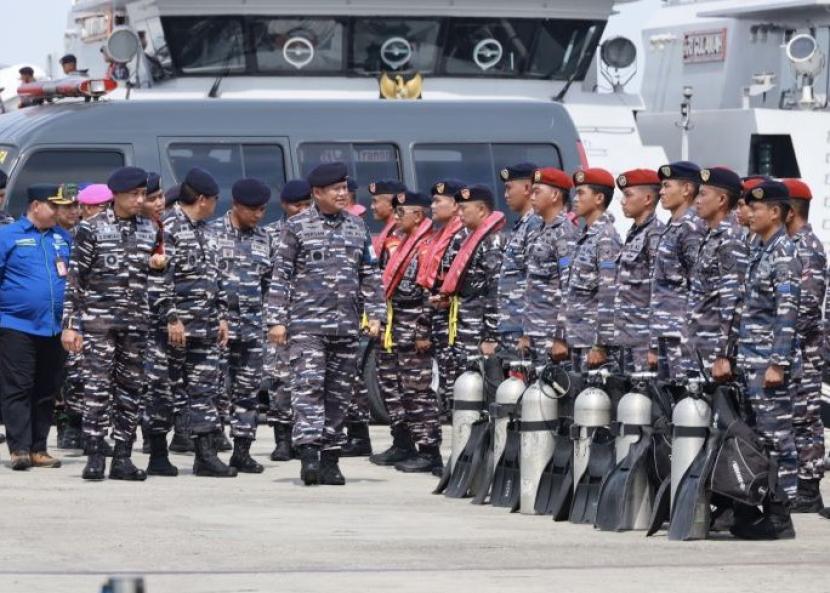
(297, 45)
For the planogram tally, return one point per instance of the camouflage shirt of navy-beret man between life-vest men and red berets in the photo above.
(513, 273)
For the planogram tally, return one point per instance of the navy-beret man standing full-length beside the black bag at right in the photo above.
(768, 352)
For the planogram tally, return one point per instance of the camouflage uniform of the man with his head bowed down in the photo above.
(245, 262)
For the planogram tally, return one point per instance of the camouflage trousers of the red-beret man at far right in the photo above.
(807, 425)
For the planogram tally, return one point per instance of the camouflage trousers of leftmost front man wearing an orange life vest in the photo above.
(405, 383)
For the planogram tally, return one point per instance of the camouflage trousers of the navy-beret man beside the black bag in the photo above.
(772, 418)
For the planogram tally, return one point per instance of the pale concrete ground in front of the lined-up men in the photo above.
(383, 531)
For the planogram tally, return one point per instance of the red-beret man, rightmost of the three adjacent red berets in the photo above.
(640, 189)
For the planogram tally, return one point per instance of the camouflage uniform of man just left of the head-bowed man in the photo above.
(194, 296)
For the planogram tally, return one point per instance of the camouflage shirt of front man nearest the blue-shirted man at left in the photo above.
(109, 275)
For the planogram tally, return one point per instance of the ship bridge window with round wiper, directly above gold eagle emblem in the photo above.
(391, 45)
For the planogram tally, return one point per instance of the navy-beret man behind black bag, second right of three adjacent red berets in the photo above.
(718, 273)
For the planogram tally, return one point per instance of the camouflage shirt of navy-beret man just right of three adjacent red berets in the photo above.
(677, 250)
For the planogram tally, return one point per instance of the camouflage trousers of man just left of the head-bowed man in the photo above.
(197, 365)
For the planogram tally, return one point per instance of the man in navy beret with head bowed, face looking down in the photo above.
(245, 264)
